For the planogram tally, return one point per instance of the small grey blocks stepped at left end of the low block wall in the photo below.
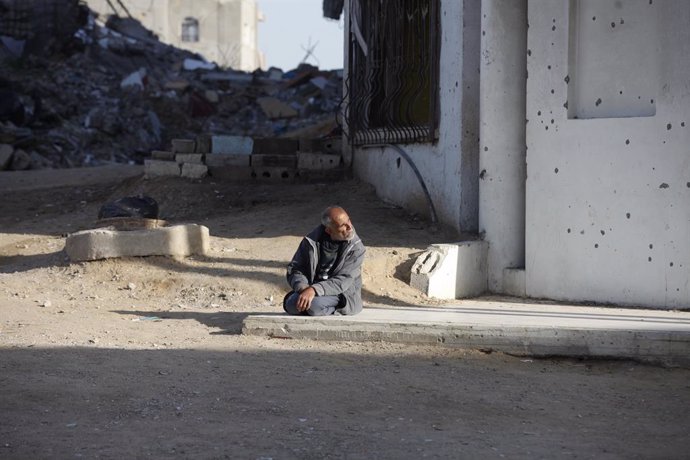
(183, 160)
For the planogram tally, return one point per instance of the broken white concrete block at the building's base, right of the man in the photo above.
(451, 271)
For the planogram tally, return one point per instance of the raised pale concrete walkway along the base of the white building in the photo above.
(528, 329)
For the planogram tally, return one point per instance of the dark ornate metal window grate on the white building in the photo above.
(392, 84)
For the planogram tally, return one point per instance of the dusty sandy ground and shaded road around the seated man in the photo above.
(142, 358)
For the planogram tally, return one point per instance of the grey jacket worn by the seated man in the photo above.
(346, 278)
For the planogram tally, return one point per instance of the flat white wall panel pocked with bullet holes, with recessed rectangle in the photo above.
(608, 139)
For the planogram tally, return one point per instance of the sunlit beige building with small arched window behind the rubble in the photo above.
(222, 31)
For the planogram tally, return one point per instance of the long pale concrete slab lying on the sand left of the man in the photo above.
(177, 240)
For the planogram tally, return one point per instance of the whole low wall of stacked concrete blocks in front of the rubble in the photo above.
(241, 158)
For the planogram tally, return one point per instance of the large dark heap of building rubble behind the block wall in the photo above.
(115, 93)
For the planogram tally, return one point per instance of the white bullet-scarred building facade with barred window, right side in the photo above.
(553, 135)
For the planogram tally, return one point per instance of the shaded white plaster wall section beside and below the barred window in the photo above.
(441, 165)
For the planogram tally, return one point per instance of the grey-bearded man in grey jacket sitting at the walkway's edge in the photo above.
(326, 271)
